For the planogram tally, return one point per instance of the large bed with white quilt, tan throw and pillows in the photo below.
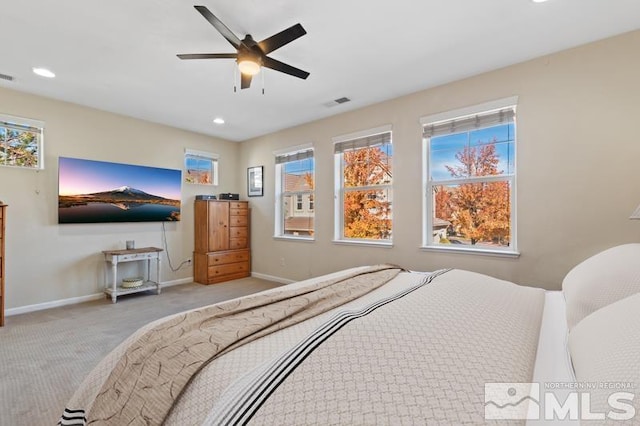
(383, 345)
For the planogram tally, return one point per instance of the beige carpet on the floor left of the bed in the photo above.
(45, 355)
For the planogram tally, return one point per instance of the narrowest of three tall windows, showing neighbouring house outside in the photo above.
(295, 185)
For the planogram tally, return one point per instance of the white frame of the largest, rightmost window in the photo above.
(428, 206)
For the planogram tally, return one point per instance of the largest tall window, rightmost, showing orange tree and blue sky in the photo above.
(470, 181)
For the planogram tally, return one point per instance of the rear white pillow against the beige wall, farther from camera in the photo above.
(600, 280)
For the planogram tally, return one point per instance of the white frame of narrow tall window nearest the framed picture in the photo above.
(280, 193)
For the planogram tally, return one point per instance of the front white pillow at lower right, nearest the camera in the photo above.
(605, 351)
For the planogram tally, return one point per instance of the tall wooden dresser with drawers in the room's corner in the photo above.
(222, 246)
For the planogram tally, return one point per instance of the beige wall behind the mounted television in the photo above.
(47, 262)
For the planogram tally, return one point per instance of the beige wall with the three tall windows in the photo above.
(577, 159)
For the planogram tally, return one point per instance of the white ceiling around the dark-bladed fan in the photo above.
(120, 55)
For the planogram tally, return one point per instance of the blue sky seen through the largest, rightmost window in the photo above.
(443, 149)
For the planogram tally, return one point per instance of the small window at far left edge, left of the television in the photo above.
(21, 142)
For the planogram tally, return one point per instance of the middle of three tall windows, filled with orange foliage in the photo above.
(364, 194)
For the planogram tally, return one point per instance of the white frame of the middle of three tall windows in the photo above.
(340, 190)
